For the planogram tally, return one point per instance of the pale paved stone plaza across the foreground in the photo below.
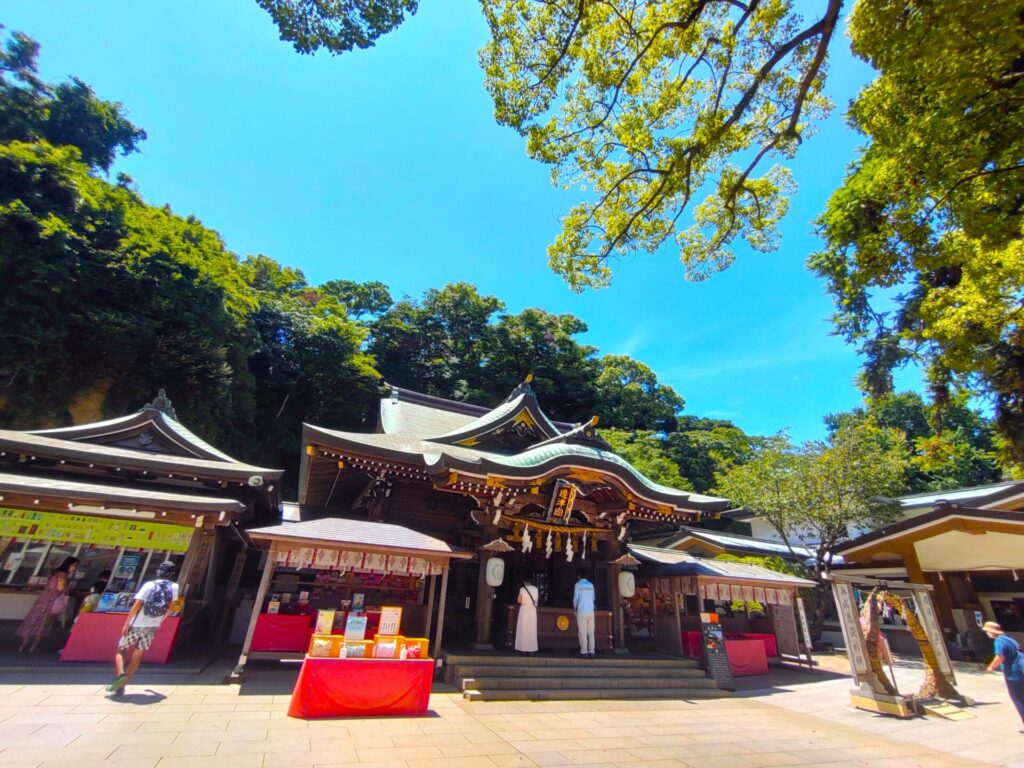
(176, 722)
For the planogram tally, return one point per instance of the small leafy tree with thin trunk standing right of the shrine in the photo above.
(818, 494)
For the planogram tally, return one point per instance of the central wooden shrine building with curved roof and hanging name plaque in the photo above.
(551, 499)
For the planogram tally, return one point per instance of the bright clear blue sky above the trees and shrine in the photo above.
(388, 165)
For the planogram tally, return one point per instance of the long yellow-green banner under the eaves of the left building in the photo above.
(101, 532)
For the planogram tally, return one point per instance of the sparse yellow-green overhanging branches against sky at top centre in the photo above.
(646, 106)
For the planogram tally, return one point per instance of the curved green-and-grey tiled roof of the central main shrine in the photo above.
(490, 454)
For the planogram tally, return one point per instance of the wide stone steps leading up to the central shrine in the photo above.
(516, 678)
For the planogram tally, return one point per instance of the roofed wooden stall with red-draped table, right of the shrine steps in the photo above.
(756, 609)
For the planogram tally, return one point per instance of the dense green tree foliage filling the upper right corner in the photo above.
(925, 239)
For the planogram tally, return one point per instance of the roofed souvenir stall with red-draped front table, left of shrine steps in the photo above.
(355, 601)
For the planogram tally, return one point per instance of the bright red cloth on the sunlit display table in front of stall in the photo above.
(356, 688)
